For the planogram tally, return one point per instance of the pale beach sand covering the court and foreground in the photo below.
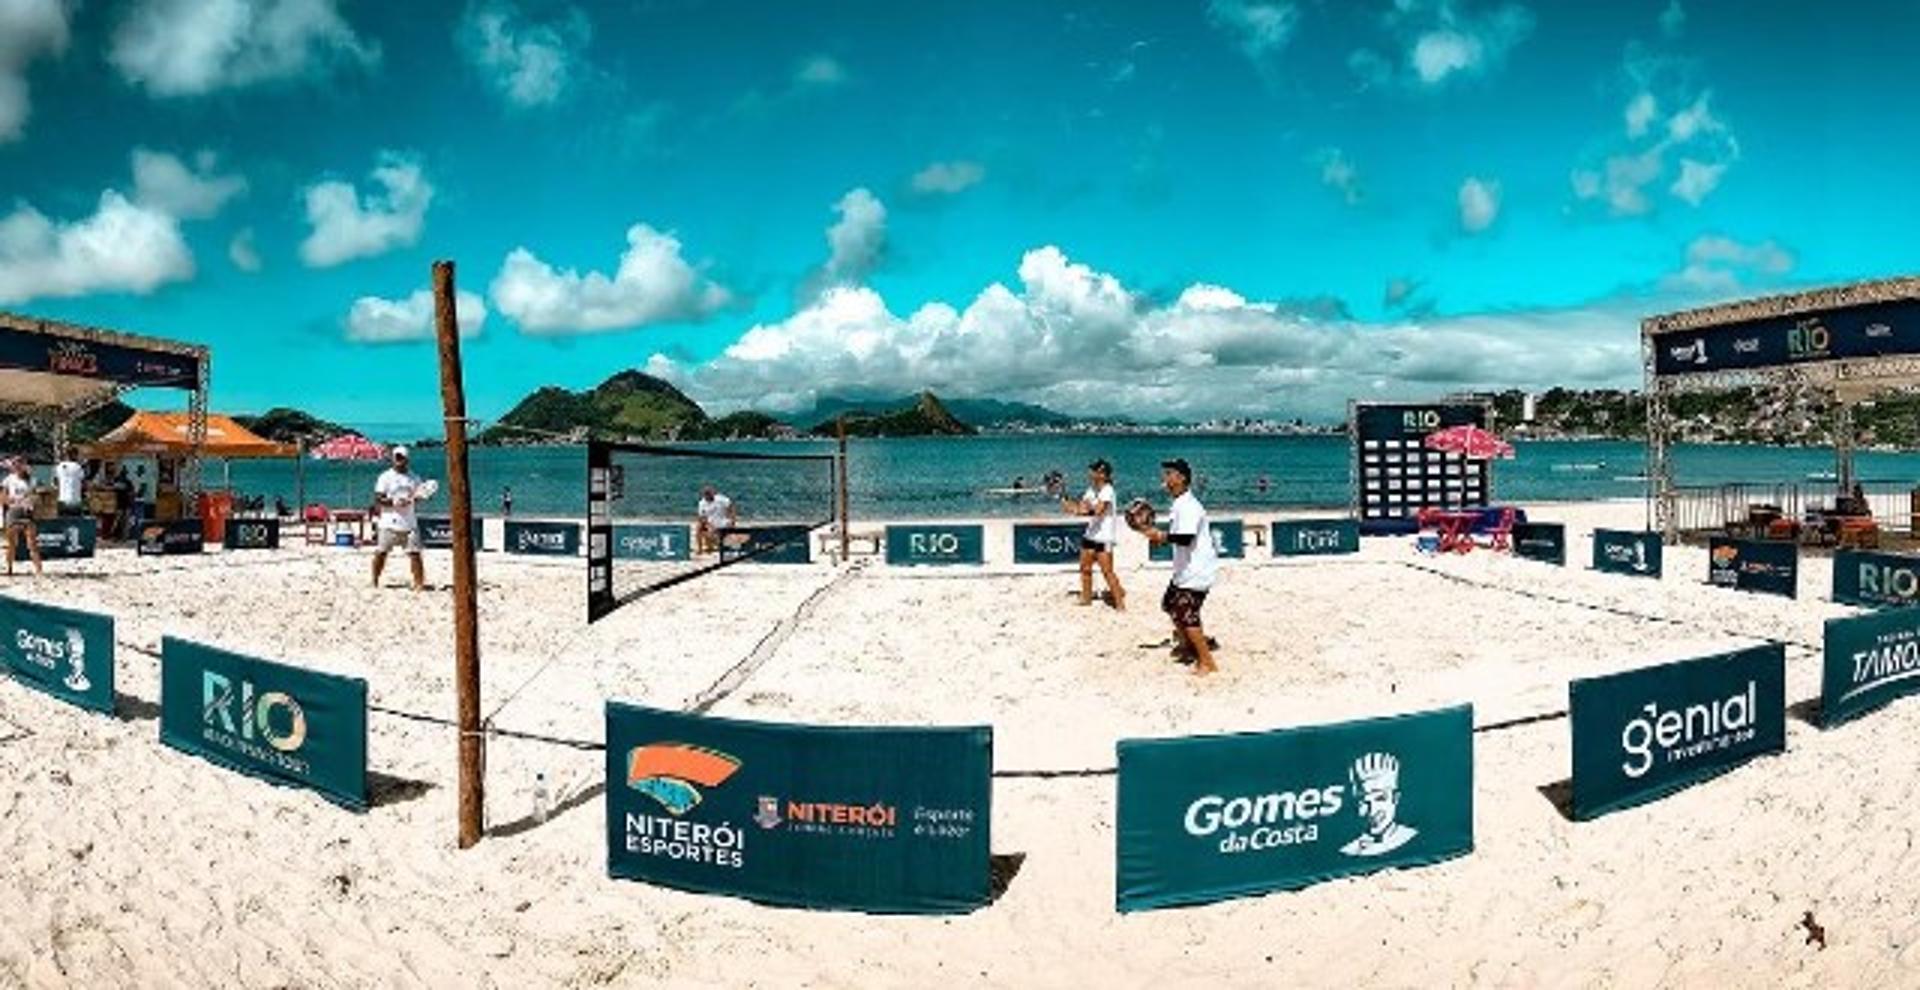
(130, 864)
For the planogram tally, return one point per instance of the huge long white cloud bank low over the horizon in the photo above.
(1080, 341)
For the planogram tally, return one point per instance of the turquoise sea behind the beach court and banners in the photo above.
(951, 477)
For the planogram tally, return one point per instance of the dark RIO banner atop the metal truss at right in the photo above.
(1833, 335)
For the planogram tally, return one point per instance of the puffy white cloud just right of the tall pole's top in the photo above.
(652, 285)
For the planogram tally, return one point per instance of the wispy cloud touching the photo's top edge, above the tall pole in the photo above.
(529, 64)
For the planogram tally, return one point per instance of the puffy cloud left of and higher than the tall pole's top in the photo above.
(348, 225)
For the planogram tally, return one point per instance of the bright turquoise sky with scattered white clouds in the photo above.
(1161, 210)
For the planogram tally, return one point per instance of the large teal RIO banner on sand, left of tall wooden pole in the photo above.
(277, 722)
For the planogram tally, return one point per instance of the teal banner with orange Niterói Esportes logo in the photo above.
(809, 816)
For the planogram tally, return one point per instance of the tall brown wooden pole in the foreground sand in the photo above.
(466, 601)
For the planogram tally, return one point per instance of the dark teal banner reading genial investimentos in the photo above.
(1644, 734)
